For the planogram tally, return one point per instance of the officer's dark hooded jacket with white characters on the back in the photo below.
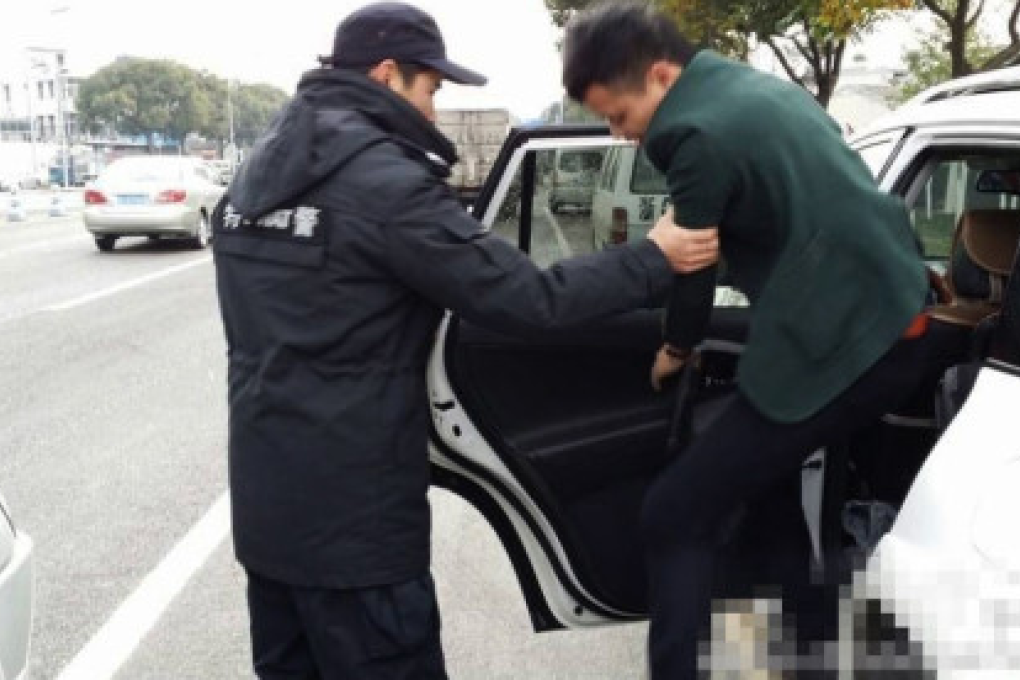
(338, 247)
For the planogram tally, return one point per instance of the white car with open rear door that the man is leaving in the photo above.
(554, 440)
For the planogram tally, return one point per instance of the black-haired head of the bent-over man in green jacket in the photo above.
(621, 60)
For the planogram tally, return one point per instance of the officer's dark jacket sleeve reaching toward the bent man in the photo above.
(441, 252)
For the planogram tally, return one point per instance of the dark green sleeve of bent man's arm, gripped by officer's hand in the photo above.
(701, 184)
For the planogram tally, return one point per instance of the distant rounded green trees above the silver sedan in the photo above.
(135, 96)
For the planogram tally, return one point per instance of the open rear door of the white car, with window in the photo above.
(555, 439)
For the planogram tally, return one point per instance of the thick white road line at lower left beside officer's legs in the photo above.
(121, 636)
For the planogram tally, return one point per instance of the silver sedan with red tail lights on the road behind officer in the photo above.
(155, 197)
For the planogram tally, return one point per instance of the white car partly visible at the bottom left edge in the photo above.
(16, 598)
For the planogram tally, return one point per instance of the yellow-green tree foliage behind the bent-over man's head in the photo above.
(807, 37)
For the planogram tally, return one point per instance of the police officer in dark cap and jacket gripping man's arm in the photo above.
(338, 246)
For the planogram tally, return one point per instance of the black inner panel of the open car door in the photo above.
(576, 420)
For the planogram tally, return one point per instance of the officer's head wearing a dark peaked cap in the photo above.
(400, 47)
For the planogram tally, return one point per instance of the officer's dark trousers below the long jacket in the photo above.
(389, 633)
